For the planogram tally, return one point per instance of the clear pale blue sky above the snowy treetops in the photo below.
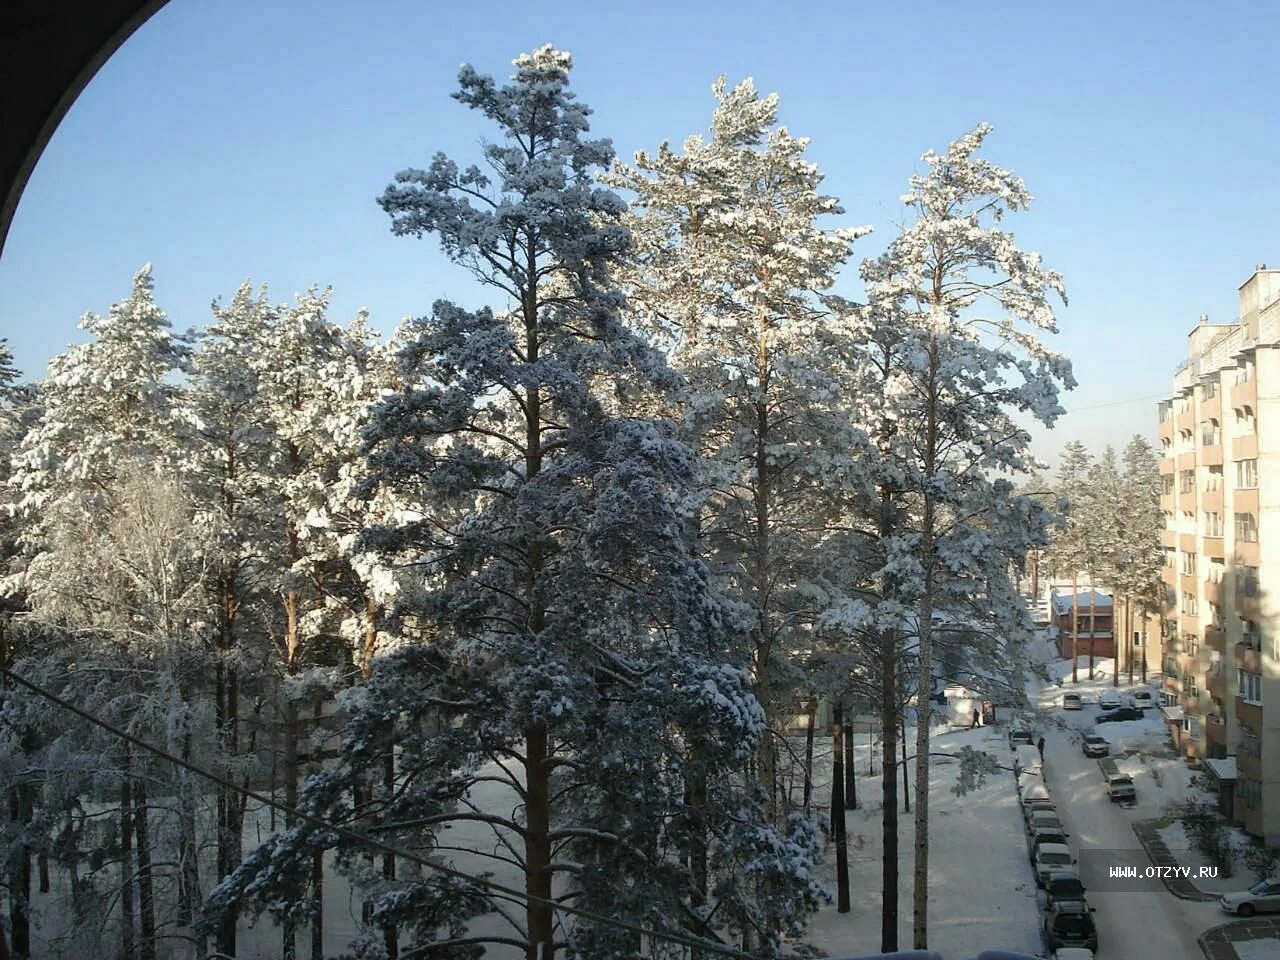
(234, 140)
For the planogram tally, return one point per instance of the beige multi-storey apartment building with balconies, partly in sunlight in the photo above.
(1220, 433)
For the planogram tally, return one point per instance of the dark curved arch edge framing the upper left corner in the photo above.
(49, 53)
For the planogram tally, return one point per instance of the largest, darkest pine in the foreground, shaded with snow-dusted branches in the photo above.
(566, 655)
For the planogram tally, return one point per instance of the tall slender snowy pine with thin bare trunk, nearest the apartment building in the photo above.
(970, 310)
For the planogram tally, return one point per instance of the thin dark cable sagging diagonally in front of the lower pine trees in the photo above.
(377, 844)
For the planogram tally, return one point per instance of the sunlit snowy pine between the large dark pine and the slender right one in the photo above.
(730, 253)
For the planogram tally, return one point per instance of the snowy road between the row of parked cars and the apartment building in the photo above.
(1133, 925)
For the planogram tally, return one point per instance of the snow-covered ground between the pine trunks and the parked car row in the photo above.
(982, 894)
